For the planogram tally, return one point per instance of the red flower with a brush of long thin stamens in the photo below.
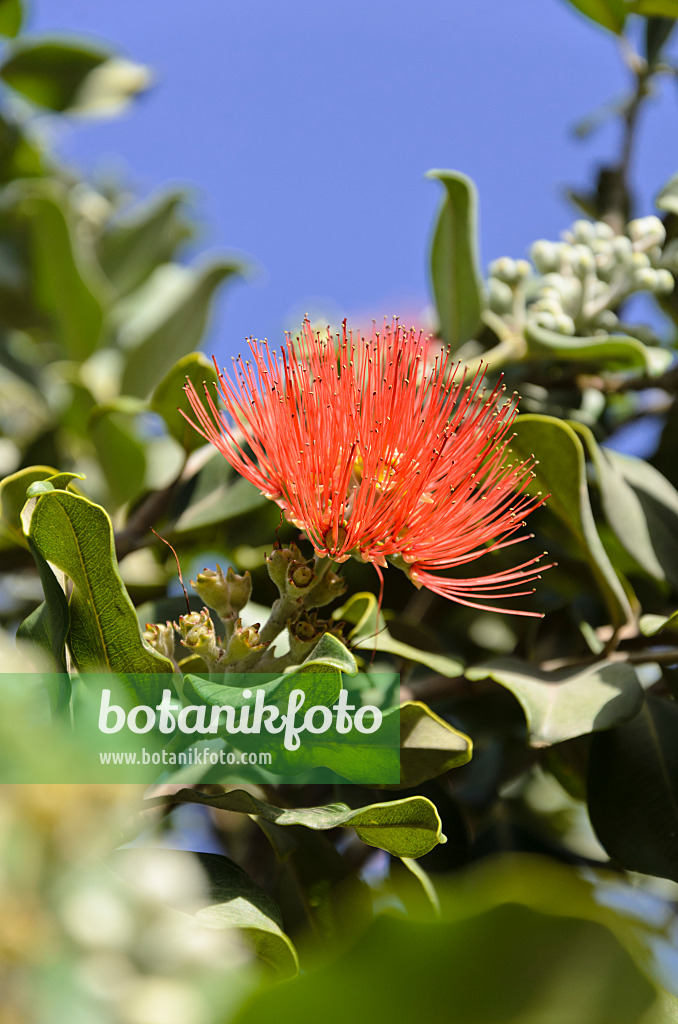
(376, 449)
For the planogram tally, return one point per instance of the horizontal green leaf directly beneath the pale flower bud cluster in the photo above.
(613, 353)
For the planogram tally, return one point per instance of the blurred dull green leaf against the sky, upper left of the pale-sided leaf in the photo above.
(133, 246)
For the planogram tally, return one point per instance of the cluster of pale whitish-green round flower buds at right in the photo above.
(582, 280)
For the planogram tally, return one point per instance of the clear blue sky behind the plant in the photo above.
(307, 130)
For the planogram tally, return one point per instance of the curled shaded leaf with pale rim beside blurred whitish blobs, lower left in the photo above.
(231, 901)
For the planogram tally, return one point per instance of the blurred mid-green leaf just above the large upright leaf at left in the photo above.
(121, 455)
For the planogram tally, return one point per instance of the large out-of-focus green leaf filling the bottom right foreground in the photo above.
(494, 957)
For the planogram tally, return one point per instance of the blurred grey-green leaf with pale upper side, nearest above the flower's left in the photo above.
(172, 322)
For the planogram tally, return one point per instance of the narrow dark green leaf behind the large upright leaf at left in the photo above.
(49, 627)
